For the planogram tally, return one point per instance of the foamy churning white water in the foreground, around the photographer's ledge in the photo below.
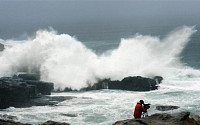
(106, 106)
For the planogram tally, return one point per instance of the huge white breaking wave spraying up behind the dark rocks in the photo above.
(67, 62)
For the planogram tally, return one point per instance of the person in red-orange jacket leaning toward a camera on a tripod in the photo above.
(139, 109)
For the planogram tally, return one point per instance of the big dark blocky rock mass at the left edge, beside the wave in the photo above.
(17, 92)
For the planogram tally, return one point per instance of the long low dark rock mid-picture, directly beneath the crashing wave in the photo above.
(128, 83)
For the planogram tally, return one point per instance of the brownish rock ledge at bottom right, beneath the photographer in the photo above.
(163, 119)
